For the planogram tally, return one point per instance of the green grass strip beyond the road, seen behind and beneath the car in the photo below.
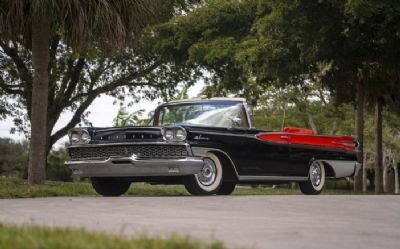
(18, 188)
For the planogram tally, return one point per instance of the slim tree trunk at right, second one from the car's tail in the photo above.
(378, 147)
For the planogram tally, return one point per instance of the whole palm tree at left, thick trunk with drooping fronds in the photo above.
(81, 24)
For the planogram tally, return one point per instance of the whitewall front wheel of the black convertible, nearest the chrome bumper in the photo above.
(209, 180)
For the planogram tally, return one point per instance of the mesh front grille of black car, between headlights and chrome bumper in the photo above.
(141, 151)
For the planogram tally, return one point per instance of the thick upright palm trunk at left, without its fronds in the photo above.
(40, 59)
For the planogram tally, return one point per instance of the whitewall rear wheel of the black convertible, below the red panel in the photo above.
(316, 179)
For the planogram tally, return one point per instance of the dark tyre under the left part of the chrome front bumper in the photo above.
(110, 186)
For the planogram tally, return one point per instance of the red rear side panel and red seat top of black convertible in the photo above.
(292, 135)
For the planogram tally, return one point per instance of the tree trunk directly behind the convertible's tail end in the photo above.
(358, 179)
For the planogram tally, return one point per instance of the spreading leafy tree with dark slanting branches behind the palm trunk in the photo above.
(137, 72)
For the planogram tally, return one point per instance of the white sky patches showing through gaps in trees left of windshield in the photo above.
(102, 112)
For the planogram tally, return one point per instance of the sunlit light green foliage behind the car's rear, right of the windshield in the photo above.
(303, 106)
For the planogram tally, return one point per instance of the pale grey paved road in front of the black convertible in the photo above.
(250, 221)
